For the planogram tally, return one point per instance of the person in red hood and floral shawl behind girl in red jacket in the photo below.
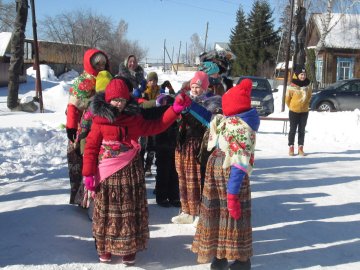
(83, 89)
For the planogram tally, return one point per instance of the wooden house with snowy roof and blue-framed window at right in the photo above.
(339, 58)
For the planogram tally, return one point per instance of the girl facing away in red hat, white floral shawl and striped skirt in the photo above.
(224, 229)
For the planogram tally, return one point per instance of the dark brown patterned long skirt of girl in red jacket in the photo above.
(121, 218)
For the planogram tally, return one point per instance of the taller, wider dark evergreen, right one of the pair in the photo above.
(263, 38)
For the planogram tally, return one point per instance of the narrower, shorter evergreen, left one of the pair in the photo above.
(239, 44)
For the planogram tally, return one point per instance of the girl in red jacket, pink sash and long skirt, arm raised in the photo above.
(113, 168)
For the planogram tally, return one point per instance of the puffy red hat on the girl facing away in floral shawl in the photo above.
(238, 98)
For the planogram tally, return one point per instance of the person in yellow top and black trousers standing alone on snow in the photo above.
(297, 98)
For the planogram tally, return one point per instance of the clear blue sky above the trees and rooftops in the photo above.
(152, 21)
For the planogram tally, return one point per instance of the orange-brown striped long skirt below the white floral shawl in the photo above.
(217, 233)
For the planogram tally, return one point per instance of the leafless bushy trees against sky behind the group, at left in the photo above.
(89, 29)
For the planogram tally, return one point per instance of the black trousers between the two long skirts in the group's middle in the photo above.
(167, 180)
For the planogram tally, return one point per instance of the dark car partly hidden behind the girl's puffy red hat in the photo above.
(261, 95)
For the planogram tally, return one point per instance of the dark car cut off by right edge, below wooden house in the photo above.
(340, 96)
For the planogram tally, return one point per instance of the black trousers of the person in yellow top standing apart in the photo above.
(297, 122)
